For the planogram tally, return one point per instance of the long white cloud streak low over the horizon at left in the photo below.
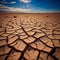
(12, 9)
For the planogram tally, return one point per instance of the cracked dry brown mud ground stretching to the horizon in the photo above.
(29, 36)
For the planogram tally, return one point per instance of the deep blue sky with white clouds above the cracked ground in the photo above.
(30, 6)
